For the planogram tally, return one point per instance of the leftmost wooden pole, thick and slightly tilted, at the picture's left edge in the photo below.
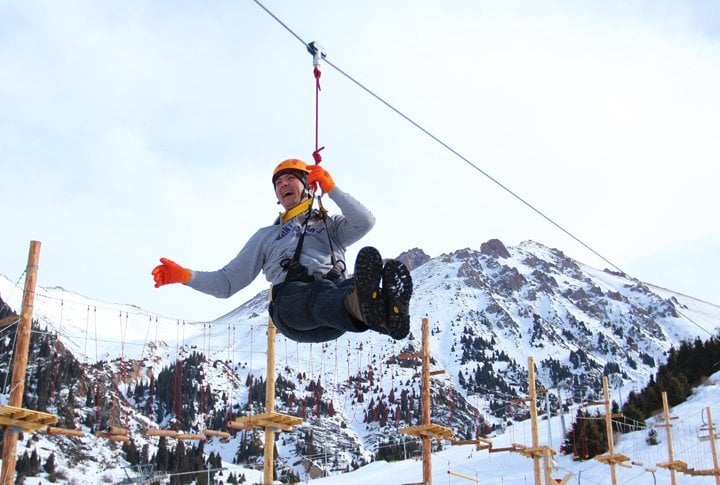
(22, 345)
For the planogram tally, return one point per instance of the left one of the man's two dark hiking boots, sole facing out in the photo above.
(367, 293)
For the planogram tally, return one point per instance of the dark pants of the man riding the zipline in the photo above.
(313, 312)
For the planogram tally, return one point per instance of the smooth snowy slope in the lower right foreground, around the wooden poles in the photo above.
(507, 468)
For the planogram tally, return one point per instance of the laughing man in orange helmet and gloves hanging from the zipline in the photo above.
(302, 255)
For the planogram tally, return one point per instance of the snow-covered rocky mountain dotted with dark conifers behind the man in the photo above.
(489, 310)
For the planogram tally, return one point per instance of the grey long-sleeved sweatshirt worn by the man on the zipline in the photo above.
(270, 245)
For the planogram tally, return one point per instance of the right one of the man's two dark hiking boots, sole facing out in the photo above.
(397, 290)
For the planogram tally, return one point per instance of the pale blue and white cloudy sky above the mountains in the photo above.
(134, 130)
